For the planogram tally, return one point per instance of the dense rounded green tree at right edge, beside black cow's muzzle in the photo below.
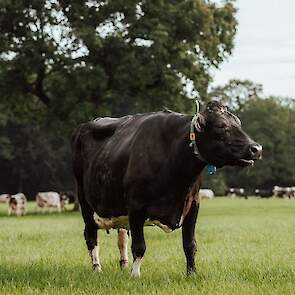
(271, 124)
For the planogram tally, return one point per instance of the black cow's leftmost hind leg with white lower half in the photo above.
(90, 234)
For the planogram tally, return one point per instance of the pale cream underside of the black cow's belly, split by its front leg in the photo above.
(123, 222)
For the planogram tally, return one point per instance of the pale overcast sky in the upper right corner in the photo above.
(264, 47)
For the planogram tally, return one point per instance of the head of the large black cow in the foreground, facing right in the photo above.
(221, 140)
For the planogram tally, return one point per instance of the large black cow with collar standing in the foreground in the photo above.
(142, 168)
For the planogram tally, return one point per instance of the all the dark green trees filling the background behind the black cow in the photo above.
(67, 62)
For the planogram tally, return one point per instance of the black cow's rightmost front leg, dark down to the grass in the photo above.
(188, 237)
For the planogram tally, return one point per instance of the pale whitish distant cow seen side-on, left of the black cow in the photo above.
(51, 200)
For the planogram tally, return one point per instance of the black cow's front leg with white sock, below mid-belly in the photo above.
(136, 222)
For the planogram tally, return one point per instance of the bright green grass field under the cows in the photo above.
(244, 247)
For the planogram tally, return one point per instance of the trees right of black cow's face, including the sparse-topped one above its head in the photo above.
(269, 121)
